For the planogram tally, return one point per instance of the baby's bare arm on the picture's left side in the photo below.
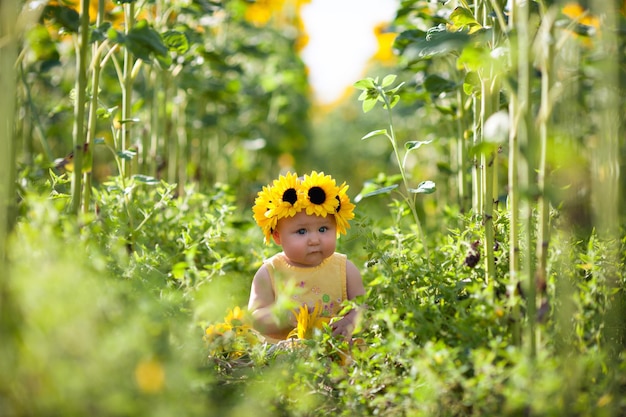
(260, 304)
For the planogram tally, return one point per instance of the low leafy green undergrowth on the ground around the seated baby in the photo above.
(101, 322)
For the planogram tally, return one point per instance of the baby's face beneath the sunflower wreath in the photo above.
(307, 239)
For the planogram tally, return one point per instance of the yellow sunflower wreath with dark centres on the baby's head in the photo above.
(316, 193)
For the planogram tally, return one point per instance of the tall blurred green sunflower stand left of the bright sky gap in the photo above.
(241, 91)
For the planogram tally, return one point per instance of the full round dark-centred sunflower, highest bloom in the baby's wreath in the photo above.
(320, 192)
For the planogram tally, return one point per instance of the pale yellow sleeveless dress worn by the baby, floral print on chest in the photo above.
(324, 284)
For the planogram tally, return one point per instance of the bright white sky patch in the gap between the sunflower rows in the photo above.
(341, 41)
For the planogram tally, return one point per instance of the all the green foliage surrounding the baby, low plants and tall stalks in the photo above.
(104, 312)
